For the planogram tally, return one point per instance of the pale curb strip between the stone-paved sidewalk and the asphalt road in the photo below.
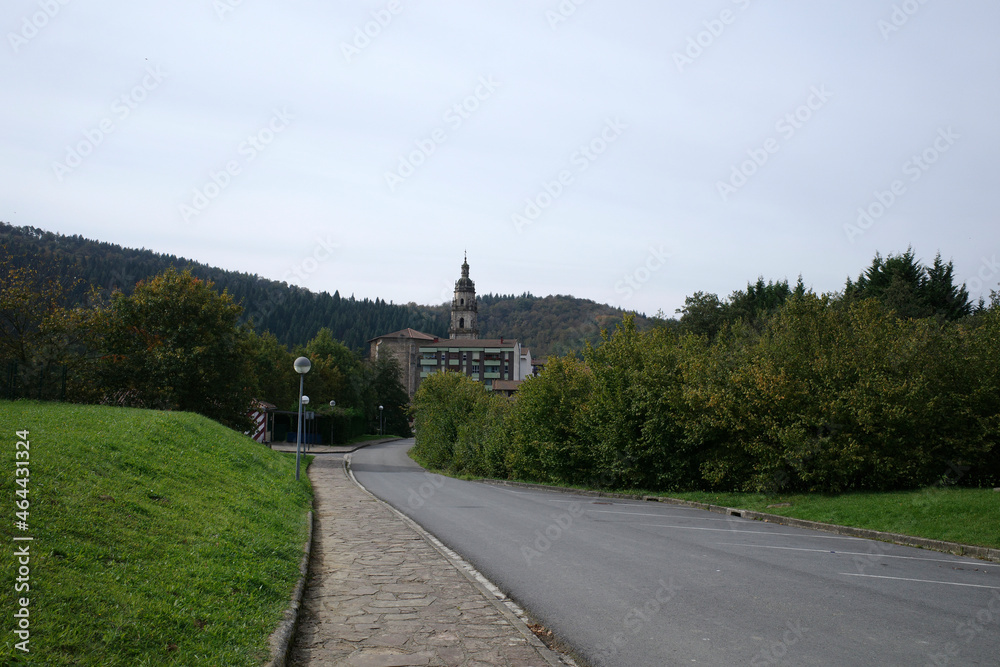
(510, 609)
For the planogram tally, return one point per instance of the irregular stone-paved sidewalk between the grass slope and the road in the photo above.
(380, 595)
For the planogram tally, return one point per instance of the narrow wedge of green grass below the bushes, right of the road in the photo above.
(966, 516)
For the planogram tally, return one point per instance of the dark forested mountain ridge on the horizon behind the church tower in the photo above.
(547, 325)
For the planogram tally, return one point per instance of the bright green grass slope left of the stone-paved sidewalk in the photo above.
(159, 538)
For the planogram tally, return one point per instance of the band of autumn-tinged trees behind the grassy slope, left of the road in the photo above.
(174, 342)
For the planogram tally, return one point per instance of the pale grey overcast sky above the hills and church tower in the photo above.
(627, 152)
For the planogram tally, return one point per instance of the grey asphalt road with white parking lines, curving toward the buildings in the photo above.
(635, 583)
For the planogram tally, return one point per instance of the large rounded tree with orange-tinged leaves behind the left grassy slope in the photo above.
(175, 344)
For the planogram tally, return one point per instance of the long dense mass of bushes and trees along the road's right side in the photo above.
(892, 385)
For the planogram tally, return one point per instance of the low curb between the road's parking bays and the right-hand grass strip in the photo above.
(971, 551)
